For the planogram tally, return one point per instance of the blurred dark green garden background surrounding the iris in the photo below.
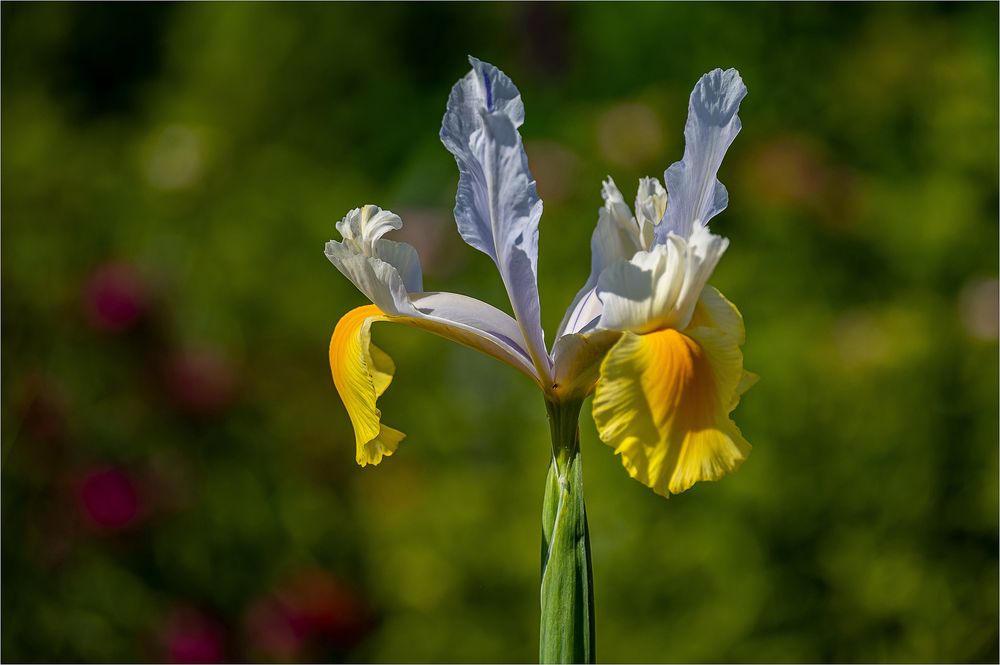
(178, 472)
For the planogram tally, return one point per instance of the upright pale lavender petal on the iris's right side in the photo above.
(696, 195)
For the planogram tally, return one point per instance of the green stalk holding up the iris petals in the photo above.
(567, 626)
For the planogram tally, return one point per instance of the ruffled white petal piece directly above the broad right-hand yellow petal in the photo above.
(659, 288)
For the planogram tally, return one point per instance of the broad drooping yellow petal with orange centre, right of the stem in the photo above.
(664, 398)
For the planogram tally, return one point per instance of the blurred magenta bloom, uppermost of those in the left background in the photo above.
(115, 297)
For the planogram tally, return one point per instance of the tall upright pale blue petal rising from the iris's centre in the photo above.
(497, 206)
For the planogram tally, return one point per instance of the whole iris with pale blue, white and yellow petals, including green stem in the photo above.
(657, 347)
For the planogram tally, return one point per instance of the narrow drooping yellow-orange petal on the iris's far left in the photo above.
(362, 372)
